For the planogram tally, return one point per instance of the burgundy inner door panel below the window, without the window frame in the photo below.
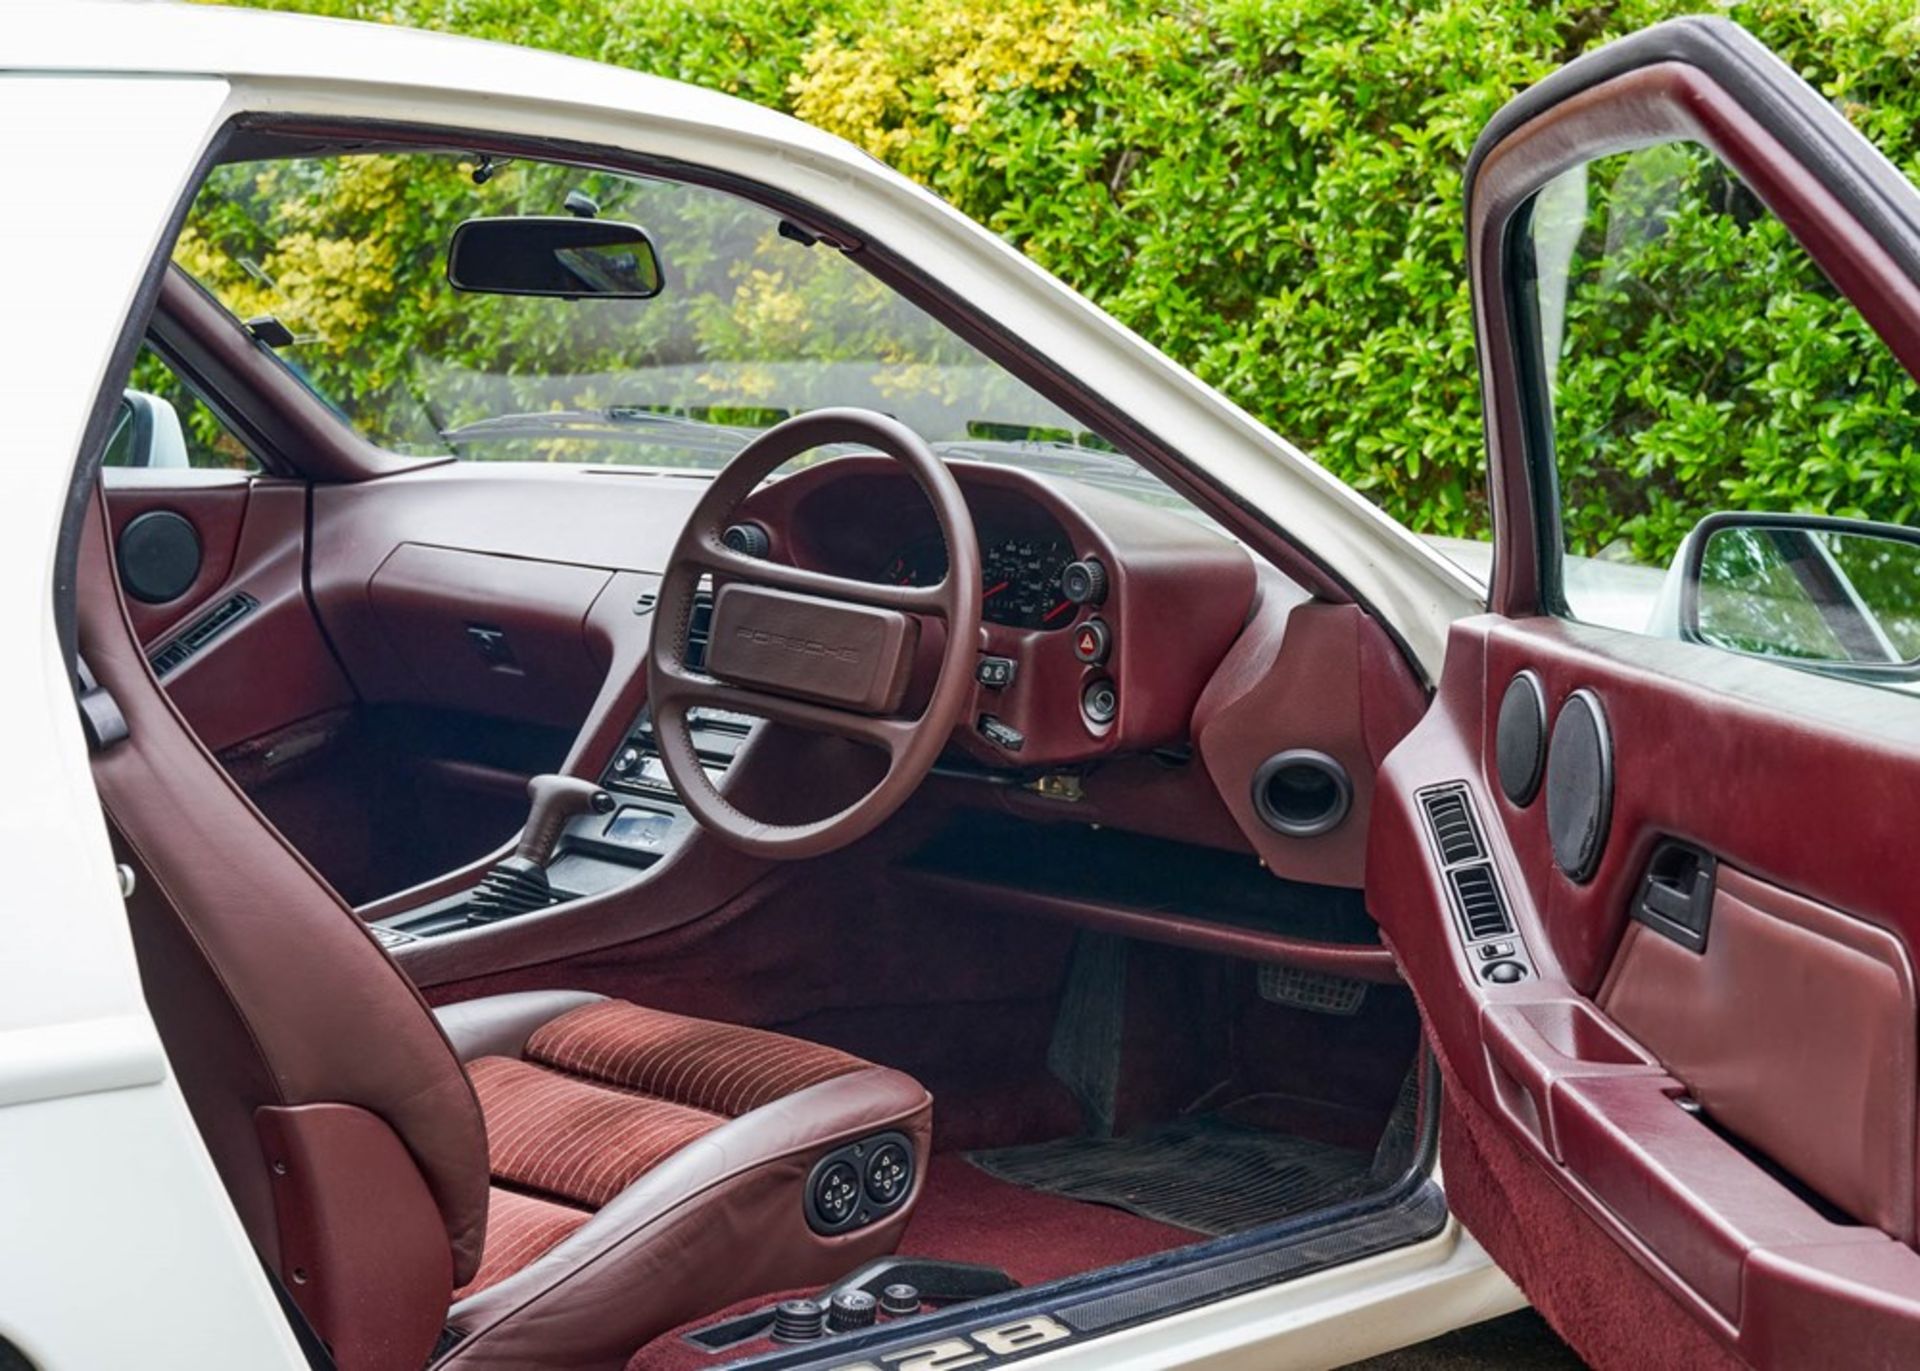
(1800, 786)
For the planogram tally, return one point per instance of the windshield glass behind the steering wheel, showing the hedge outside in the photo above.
(756, 322)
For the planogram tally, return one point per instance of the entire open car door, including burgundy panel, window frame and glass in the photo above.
(1656, 890)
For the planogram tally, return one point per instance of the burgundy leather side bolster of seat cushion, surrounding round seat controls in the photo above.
(729, 1203)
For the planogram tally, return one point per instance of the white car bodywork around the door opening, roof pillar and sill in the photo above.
(118, 1245)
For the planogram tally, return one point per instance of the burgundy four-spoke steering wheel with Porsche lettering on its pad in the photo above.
(809, 650)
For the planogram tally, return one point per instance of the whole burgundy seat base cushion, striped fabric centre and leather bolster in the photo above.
(650, 1168)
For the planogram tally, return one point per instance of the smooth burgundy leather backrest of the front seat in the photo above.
(270, 994)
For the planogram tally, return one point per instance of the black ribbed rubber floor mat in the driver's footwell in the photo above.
(1201, 1174)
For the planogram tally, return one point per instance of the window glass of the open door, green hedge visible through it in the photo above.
(1696, 362)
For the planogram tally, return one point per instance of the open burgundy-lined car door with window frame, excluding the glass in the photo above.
(1687, 1122)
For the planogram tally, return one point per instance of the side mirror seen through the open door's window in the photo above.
(1838, 594)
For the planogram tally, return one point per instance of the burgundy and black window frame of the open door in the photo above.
(1798, 156)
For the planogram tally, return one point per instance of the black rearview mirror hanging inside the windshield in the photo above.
(554, 256)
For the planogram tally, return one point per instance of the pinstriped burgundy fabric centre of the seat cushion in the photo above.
(606, 1094)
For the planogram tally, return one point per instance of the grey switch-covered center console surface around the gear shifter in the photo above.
(602, 848)
